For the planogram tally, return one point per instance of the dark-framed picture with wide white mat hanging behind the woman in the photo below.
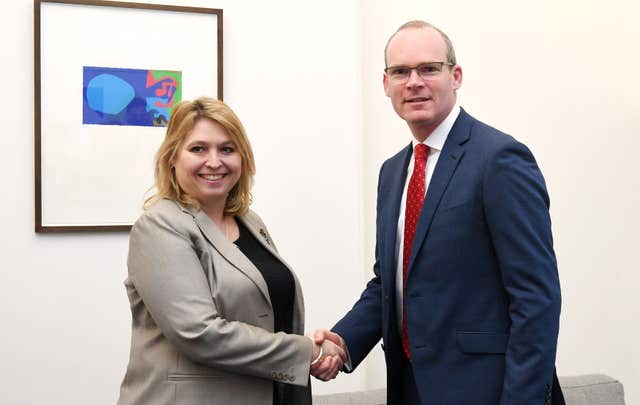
(107, 76)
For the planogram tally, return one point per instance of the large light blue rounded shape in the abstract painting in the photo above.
(109, 94)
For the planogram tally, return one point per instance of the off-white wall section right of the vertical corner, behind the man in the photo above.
(561, 76)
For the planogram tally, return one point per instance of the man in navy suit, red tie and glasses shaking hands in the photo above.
(466, 294)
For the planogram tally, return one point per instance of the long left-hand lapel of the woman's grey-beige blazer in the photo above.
(229, 250)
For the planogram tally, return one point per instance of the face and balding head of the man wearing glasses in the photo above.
(423, 102)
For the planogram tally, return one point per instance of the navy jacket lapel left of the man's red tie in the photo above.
(391, 192)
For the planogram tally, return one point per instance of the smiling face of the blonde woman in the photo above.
(208, 164)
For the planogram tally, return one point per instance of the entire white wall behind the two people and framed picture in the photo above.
(305, 80)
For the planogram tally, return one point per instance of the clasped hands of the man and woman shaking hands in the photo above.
(329, 355)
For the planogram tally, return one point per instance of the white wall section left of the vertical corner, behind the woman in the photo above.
(65, 316)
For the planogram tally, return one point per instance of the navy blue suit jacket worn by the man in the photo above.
(482, 295)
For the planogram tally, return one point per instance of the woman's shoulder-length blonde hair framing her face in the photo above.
(182, 121)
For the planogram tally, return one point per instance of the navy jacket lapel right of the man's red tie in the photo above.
(451, 155)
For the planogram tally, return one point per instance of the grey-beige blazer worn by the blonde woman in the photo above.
(202, 320)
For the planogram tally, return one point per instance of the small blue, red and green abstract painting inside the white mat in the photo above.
(136, 97)
